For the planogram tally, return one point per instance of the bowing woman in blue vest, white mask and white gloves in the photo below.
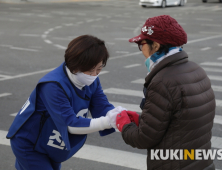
(53, 123)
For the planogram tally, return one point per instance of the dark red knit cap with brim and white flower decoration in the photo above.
(162, 29)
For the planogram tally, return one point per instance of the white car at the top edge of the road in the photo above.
(162, 3)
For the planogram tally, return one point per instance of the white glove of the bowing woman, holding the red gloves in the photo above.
(112, 115)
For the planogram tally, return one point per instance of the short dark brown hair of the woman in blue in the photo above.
(84, 53)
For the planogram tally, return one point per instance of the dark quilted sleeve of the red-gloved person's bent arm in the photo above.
(154, 121)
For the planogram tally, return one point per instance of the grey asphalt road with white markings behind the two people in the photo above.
(34, 36)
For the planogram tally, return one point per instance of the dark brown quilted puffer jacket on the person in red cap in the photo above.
(178, 113)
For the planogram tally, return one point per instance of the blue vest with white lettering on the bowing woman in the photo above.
(54, 139)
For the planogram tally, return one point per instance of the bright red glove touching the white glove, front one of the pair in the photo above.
(122, 119)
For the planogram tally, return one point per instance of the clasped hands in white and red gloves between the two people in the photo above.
(119, 117)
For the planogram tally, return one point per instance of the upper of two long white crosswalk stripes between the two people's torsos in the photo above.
(126, 92)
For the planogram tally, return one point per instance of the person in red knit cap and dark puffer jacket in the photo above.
(179, 104)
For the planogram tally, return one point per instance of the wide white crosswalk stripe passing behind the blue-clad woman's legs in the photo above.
(101, 154)
